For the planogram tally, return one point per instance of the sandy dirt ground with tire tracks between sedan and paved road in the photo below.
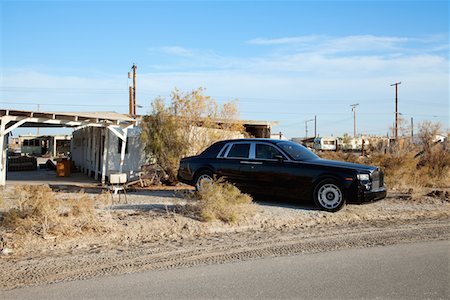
(147, 233)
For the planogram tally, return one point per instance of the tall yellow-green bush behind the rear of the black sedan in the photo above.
(185, 127)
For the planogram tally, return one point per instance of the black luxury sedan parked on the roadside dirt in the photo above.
(284, 168)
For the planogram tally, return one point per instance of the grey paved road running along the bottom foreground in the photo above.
(419, 270)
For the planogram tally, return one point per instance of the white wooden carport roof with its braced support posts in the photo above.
(116, 123)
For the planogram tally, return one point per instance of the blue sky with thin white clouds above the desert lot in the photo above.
(284, 61)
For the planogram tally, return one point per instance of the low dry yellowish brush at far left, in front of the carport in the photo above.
(36, 210)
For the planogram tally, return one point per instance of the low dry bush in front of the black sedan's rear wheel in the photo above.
(220, 200)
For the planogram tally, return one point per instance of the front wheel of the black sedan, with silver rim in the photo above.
(329, 195)
